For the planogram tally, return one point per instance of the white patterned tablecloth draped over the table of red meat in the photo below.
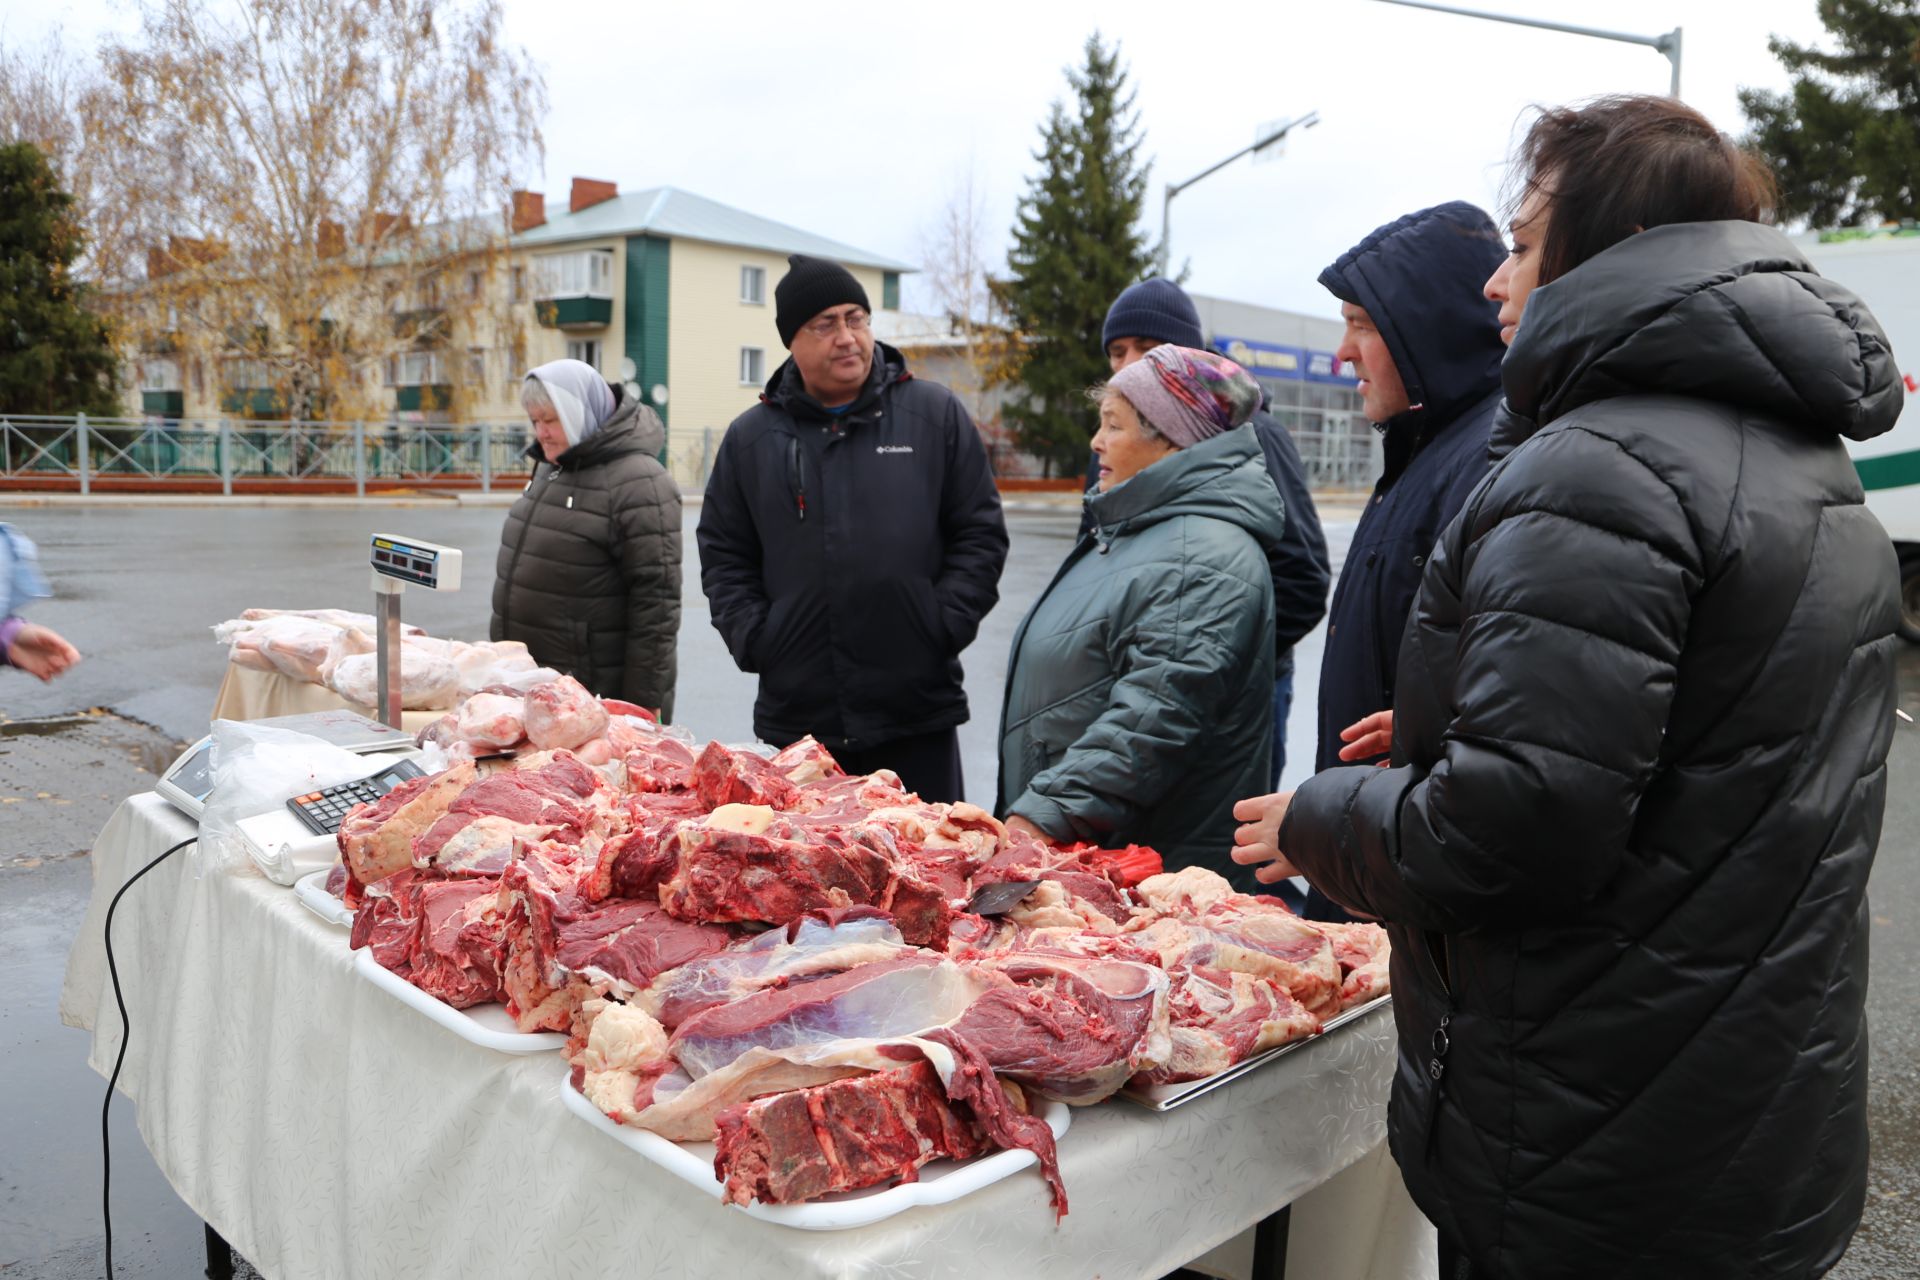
(329, 1131)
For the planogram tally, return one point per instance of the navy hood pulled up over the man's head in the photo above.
(1420, 279)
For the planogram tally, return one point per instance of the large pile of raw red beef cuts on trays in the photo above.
(780, 959)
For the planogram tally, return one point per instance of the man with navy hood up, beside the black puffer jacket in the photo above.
(1426, 344)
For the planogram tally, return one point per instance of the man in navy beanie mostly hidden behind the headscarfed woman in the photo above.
(1159, 312)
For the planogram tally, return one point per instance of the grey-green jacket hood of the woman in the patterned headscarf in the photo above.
(1224, 479)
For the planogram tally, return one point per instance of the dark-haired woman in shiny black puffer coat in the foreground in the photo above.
(1639, 744)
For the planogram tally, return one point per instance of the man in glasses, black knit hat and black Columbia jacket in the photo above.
(852, 542)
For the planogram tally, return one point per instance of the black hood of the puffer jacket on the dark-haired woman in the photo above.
(1721, 312)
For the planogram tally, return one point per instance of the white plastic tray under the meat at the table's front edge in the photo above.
(940, 1183)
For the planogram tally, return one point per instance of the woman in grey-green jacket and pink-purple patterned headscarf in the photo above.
(1140, 692)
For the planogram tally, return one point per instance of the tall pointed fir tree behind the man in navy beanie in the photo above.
(1078, 245)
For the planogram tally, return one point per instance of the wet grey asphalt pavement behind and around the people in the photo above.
(139, 588)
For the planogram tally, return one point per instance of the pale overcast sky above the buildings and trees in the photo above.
(859, 122)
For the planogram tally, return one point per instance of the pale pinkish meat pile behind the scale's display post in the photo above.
(335, 648)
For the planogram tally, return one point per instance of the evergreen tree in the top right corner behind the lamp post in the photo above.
(1844, 143)
